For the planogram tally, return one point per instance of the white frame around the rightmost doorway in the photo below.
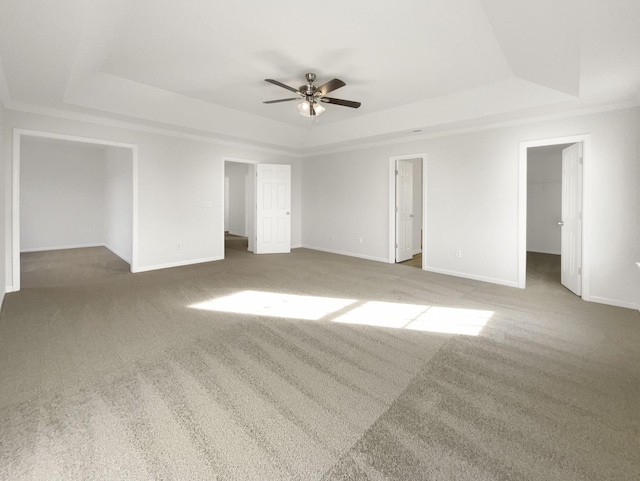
(585, 139)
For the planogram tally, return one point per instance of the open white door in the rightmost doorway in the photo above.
(571, 223)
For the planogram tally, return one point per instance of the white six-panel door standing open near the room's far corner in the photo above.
(273, 209)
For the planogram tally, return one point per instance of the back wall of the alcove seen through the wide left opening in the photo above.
(61, 195)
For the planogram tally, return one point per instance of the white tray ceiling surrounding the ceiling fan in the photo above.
(427, 65)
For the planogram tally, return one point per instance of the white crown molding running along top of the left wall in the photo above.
(140, 127)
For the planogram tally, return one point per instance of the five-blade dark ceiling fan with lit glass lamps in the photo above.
(311, 96)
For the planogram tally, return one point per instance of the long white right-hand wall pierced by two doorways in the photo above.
(472, 201)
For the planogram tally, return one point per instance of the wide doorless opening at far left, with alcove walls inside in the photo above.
(105, 218)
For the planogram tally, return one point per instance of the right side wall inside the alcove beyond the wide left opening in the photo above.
(118, 202)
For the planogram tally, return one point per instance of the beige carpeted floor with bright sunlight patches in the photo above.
(268, 367)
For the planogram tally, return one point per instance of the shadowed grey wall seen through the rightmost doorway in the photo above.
(544, 201)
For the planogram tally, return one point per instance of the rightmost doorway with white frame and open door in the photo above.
(552, 199)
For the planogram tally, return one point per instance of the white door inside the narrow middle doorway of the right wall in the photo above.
(404, 210)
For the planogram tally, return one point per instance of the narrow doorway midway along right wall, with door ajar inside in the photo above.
(407, 176)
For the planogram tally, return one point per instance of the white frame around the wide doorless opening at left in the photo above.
(13, 254)
